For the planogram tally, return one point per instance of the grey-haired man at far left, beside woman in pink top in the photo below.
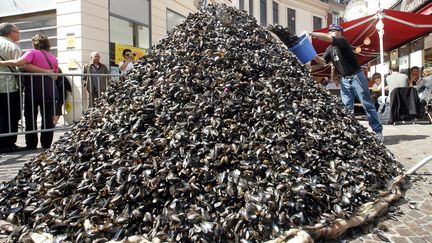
(10, 109)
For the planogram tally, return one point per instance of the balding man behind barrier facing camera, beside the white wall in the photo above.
(95, 85)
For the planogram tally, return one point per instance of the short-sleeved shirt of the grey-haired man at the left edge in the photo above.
(9, 51)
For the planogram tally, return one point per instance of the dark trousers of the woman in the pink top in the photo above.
(30, 113)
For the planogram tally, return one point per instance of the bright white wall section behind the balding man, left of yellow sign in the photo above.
(87, 21)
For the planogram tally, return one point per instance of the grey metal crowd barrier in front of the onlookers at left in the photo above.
(75, 103)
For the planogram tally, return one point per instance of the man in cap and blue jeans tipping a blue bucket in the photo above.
(354, 82)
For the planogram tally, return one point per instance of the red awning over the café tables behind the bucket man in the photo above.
(399, 28)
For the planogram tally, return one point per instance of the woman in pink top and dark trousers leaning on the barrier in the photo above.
(40, 91)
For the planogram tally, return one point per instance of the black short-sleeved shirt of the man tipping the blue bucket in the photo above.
(342, 56)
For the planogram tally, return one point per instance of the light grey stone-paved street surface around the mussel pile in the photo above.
(410, 143)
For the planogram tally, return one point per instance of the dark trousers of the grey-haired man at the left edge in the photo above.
(10, 114)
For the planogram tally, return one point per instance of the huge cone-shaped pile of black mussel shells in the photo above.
(218, 135)
